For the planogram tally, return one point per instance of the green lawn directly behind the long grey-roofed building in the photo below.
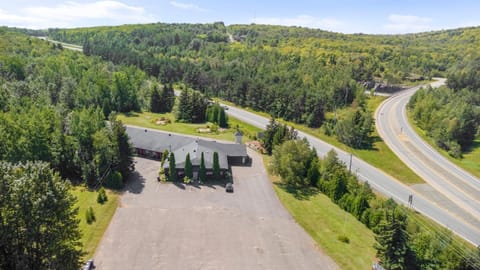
(148, 119)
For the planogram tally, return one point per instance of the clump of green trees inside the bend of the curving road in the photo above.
(451, 114)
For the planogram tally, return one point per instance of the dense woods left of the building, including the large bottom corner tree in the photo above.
(57, 122)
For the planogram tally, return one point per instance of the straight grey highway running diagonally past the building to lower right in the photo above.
(383, 183)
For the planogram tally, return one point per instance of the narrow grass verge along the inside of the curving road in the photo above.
(470, 160)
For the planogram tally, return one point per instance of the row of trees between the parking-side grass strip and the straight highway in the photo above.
(403, 240)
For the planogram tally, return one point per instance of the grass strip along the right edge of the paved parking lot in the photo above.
(324, 221)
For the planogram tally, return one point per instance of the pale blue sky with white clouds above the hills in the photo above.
(345, 16)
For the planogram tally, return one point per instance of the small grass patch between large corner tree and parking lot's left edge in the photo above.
(92, 233)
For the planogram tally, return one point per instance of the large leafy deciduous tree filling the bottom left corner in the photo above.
(41, 230)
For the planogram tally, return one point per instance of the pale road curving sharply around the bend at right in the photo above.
(458, 186)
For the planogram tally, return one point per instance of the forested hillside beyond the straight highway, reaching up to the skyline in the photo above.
(294, 73)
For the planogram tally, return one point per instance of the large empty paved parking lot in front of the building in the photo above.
(168, 226)
